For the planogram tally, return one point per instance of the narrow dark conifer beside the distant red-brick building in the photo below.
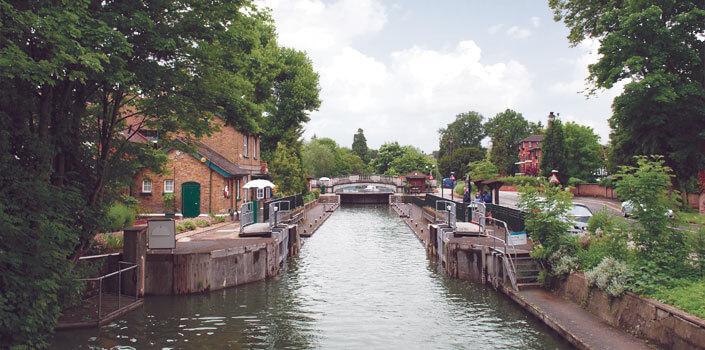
(553, 150)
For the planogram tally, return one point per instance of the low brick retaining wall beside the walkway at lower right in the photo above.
(649, 319)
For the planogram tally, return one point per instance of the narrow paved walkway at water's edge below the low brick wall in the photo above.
(585, 329)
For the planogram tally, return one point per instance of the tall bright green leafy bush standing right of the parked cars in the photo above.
(647, 186)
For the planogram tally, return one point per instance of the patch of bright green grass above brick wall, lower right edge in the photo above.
(686, 295)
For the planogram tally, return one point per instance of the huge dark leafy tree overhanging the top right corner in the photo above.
(657, 48)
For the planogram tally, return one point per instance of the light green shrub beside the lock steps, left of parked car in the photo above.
(545, 208)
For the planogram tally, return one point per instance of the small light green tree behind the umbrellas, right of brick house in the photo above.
(287, 170)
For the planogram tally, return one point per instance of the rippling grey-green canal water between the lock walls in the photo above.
(362, 281)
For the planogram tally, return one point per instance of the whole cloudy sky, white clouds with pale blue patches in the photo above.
(403, 69)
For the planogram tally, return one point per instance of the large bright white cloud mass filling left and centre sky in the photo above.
(402, 96)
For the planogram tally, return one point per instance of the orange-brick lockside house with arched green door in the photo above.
(207, 180)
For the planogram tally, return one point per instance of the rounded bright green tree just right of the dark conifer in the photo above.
(584, 154)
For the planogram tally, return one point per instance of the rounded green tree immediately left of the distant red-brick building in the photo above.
(506, 130)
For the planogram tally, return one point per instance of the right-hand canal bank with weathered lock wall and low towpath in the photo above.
(472, 258)
